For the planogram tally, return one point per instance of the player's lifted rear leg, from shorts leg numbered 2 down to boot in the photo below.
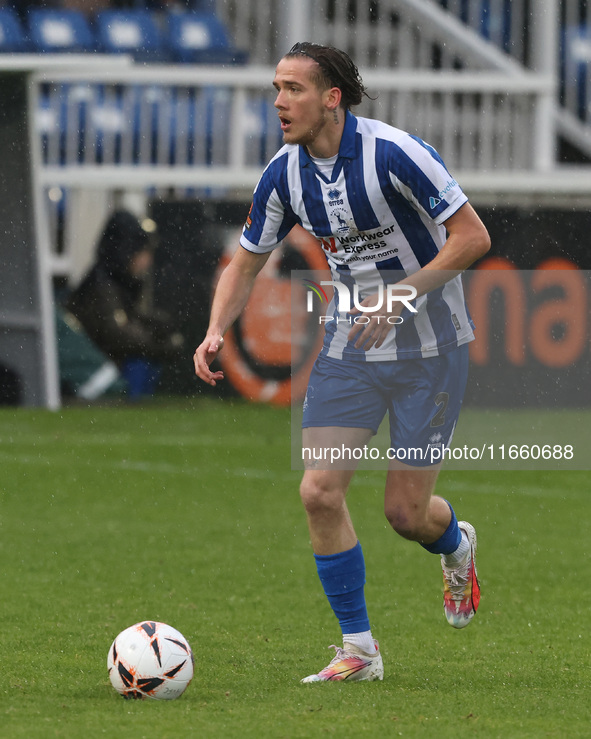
(421, 423)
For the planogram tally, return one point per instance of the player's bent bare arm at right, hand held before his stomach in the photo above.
(467, 241)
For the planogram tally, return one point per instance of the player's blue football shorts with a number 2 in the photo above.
(423, 398)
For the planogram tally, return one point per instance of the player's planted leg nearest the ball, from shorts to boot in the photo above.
(337, 394)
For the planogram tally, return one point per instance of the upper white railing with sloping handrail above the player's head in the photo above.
(535, 35)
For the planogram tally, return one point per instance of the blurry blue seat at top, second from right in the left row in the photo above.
(130, 32)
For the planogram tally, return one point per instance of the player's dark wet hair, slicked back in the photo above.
(335, 69)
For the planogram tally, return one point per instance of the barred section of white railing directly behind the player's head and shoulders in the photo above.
(193, 124)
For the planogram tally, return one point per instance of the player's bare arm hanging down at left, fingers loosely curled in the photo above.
(231, 295)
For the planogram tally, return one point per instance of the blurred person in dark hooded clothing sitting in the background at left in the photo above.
(108, 303)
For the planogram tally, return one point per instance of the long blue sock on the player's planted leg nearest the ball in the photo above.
(343, 576)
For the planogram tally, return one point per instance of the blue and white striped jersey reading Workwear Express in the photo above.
(378, 218)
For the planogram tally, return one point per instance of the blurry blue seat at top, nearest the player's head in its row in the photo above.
(201, 38)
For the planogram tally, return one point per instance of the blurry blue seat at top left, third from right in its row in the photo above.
(57, 31)
